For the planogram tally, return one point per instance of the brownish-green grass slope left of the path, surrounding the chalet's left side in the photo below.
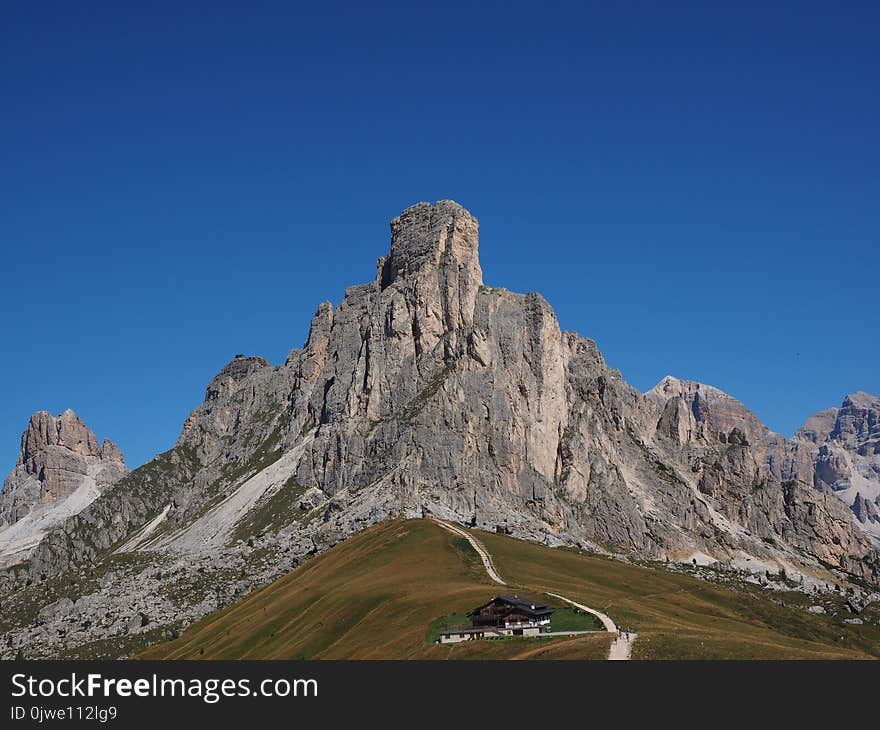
(378, 595)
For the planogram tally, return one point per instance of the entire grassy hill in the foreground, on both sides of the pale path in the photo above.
(384, 593)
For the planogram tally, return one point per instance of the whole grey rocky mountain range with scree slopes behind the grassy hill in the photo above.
(424, 392)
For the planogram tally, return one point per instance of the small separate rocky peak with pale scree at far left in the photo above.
(61, 469)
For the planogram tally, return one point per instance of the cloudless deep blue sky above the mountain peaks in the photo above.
(695, 189)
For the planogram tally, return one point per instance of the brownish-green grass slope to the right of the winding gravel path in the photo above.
(680, 617)
